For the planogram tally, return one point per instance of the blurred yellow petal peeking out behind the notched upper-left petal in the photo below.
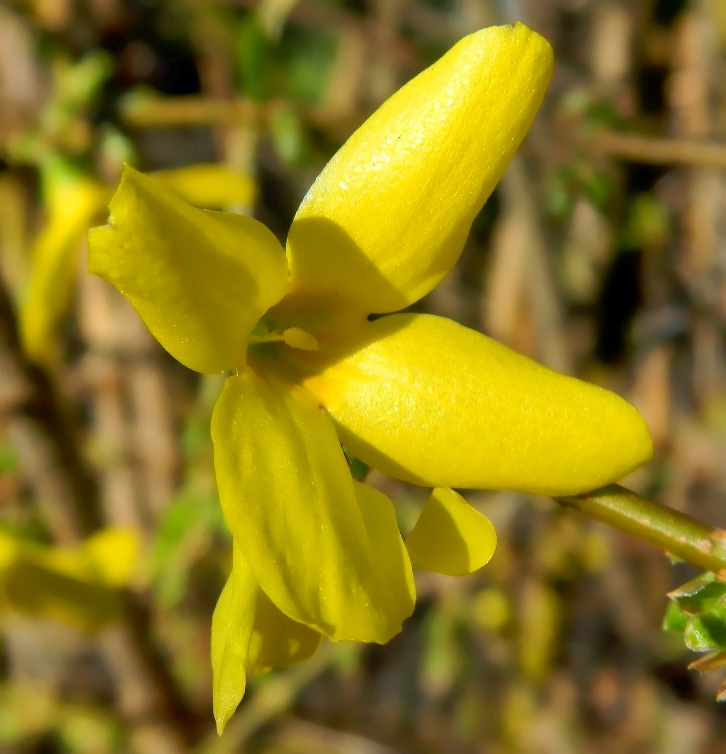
(209, 186)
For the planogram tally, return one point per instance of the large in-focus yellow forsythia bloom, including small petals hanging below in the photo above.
(418, 397)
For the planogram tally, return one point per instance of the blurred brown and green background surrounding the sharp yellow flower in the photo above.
(602, 253)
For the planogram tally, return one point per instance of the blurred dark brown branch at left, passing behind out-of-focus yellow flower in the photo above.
(158, 715)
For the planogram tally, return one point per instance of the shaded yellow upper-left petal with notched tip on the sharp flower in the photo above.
(200, 280)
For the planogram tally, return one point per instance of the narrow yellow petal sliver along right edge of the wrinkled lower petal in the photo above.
(380, 521)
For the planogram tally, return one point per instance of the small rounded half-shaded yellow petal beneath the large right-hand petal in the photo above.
(450, 536)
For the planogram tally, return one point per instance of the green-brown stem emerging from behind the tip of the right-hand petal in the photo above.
(672, 531)
